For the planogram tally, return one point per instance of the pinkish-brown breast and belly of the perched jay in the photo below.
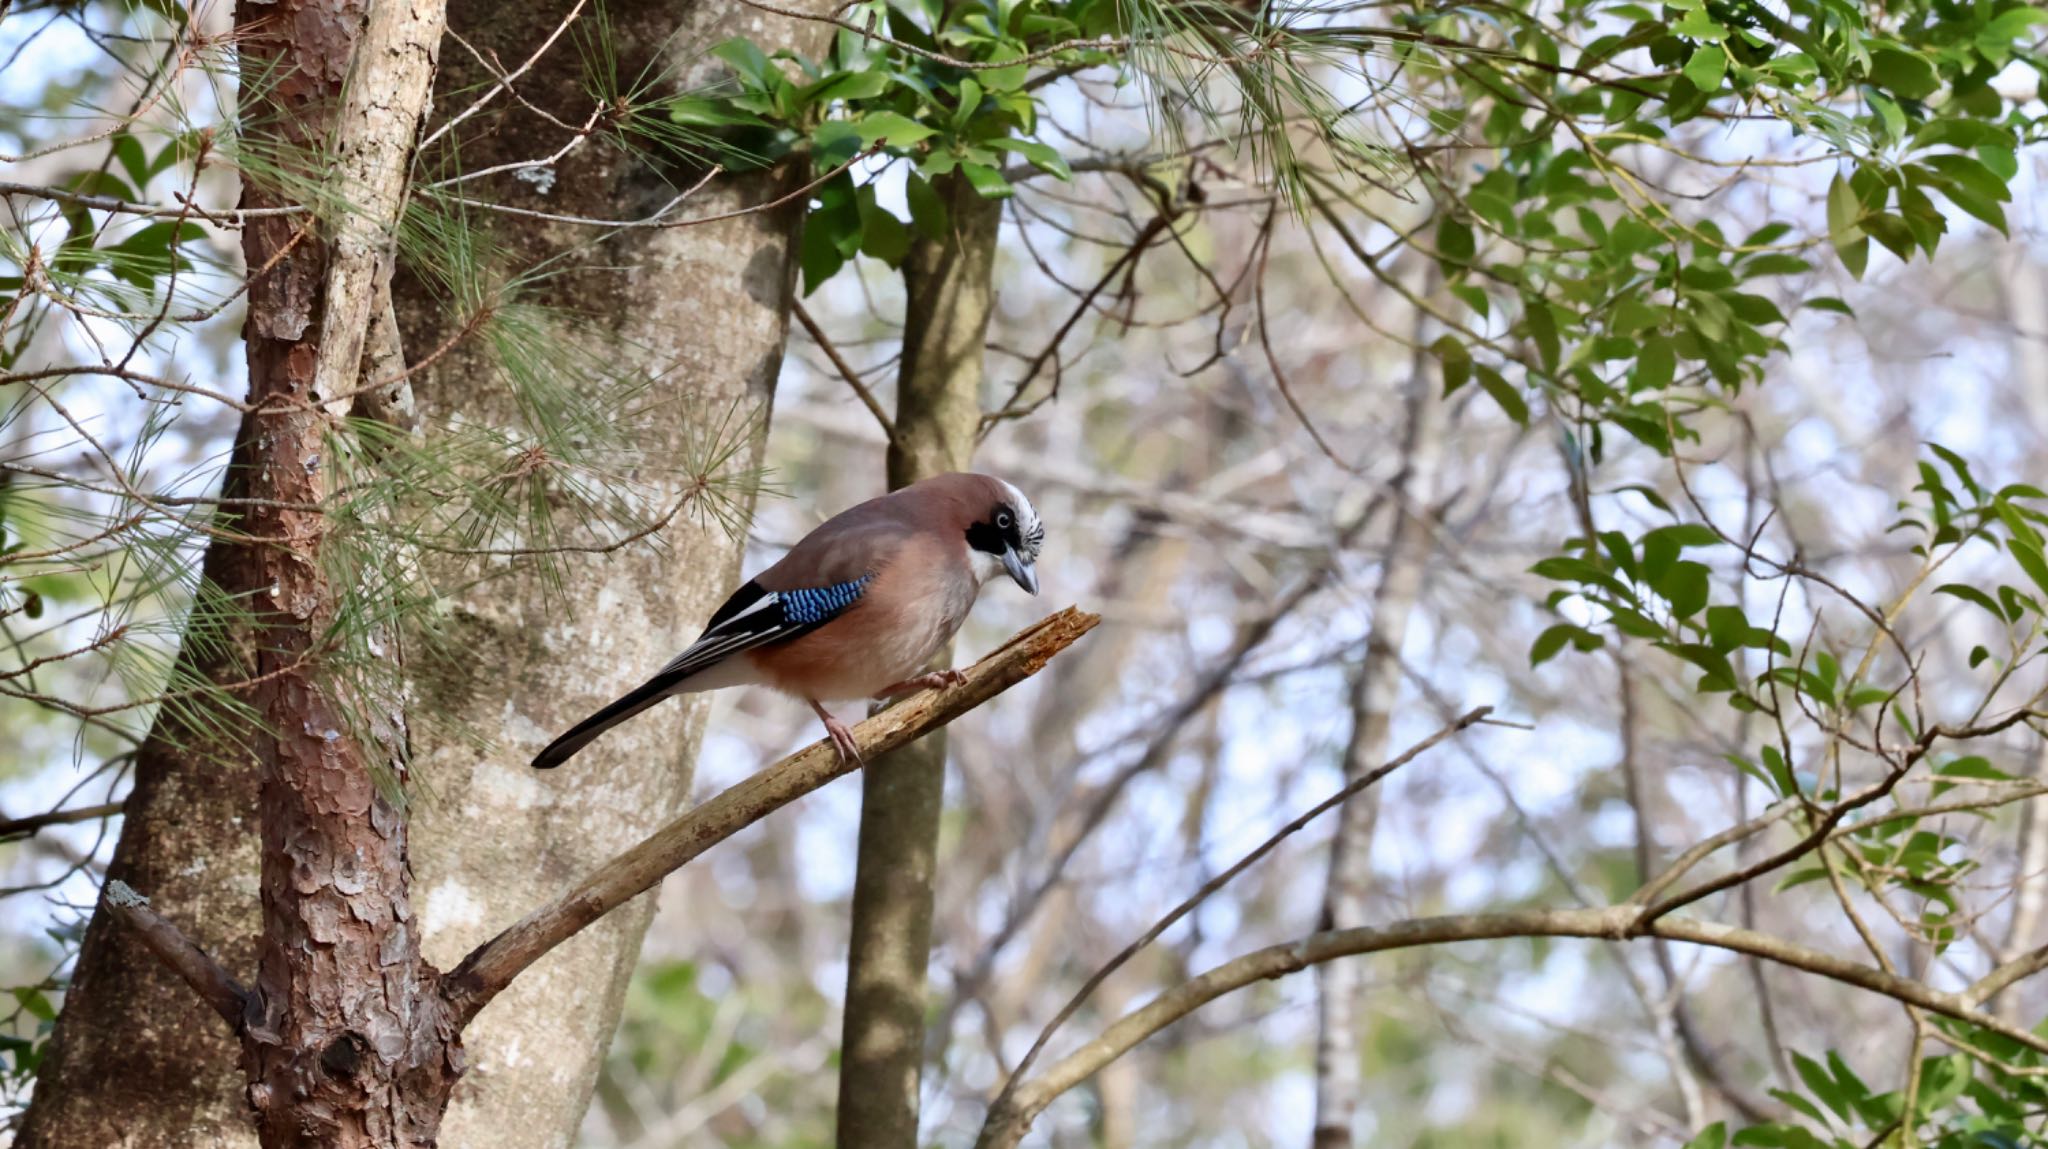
(906, 615)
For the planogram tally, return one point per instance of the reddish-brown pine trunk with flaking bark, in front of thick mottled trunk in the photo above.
(343, 1037)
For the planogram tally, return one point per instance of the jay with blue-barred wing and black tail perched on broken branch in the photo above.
(855, 609)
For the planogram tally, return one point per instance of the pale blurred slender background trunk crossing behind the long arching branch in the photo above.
(1375, 691)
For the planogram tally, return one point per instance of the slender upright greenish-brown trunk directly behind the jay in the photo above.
(939, 415)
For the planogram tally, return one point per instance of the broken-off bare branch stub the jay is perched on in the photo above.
(493, 966)
